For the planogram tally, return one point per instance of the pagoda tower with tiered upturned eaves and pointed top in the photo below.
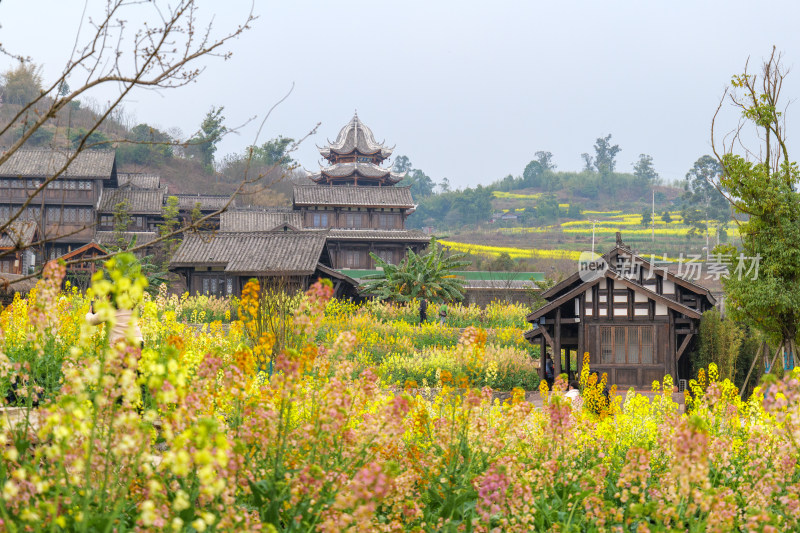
(354, 159)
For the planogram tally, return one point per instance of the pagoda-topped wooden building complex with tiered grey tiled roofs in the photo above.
(352, 206)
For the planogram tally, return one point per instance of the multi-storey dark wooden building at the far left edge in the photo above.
(65, 212)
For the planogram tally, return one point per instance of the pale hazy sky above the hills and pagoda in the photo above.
(467, 90)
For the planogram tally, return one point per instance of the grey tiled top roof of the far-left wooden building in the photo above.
(94, 164)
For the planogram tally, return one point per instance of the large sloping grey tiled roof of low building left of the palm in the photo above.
(271, 253)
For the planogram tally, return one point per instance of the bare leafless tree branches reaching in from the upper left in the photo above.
(165, 52)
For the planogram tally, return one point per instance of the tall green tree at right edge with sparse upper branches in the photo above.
(765, 189)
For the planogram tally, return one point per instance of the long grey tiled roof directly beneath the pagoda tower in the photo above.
(352, 196)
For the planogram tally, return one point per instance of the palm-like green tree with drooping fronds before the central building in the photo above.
(427, 275)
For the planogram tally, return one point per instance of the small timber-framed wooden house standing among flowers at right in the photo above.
(637, 321)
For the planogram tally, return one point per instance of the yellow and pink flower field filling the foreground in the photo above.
(210, 428)
